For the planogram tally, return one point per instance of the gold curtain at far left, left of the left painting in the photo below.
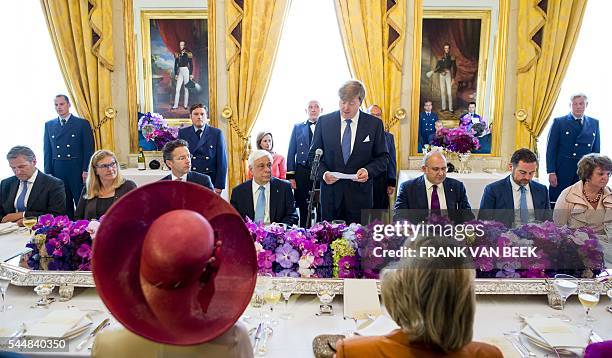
(81, 32)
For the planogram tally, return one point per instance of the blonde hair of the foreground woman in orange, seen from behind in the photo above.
(433, 305)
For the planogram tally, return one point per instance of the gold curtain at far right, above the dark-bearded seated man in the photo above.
(542, 66)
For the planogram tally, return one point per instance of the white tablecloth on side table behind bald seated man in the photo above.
(474, 182)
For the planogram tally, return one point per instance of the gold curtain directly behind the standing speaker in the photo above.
(373, 34)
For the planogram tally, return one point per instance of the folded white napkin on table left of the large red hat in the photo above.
(60, 324)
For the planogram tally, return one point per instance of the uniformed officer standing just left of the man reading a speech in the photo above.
(298, 171)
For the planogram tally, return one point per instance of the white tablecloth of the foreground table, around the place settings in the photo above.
(494, 316)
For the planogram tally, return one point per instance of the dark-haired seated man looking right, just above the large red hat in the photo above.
(178, 159)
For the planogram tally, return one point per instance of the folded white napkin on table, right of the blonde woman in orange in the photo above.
(553, 332)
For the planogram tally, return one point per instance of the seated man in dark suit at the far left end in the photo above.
(30, 192)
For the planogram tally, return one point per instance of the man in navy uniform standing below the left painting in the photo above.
(207, 147)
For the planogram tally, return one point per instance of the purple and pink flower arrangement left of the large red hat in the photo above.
(60, 244)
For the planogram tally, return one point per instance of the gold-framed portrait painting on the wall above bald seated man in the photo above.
(477, 78)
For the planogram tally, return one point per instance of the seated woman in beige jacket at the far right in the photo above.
(589, 201)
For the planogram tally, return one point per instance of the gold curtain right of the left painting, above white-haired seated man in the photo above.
(253, 34)
